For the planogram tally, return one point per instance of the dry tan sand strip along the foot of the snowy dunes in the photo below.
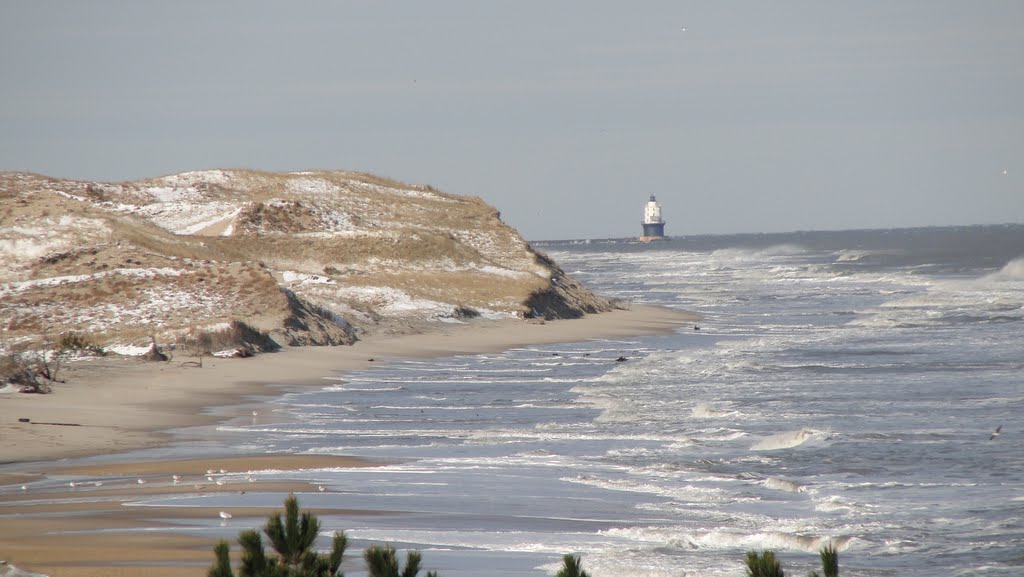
(115, 405)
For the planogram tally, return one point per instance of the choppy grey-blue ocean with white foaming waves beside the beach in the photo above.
(842, 388)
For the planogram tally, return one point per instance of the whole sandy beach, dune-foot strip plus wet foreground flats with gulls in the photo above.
(110, 406)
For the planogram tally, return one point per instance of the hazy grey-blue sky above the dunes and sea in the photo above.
(747, 116)
